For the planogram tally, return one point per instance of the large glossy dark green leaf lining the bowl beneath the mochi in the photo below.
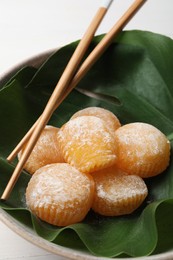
(133, 79)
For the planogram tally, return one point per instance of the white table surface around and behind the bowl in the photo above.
(29, 27)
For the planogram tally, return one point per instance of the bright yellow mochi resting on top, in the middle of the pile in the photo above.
(87, 144)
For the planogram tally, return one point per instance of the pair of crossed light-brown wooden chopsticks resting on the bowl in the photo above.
(66, 83)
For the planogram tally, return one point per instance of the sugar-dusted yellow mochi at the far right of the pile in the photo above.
(142, 149)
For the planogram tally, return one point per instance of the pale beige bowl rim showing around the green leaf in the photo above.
(27, 233)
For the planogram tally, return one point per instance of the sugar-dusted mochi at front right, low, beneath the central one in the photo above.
(117, 193)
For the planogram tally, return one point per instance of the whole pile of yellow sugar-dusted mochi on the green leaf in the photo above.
(92, 162)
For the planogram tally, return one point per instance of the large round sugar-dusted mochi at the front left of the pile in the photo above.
(60, 194)
